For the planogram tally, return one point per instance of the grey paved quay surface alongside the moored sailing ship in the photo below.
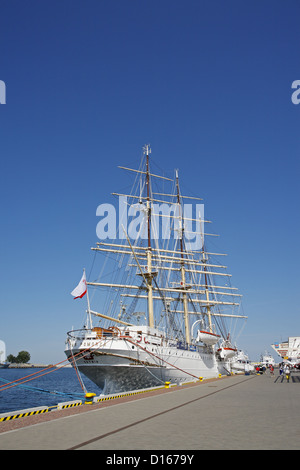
(232, 413)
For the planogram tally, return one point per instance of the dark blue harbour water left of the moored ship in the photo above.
(60, 381)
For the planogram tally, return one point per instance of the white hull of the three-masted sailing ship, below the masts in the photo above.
(117, 364)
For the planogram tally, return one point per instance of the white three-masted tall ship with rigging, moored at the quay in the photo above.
(166, 308)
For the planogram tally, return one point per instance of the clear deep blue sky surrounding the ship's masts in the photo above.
(88, 83)
